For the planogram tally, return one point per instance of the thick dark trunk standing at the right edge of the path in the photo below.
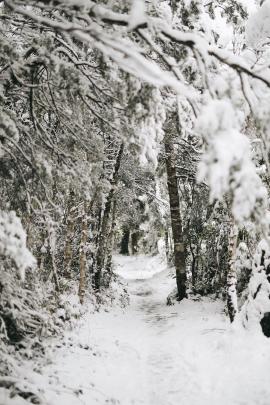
(176, 220)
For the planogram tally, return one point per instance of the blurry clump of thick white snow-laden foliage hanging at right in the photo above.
(227, 163)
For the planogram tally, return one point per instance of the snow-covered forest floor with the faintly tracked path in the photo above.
(152, 354)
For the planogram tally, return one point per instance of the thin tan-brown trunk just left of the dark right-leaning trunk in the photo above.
(82, 256)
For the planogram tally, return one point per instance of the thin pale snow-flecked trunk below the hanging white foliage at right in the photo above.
(231, 274)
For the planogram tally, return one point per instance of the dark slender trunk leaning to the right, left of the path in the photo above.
(102, 247)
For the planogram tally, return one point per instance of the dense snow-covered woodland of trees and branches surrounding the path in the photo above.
(136, 127)
